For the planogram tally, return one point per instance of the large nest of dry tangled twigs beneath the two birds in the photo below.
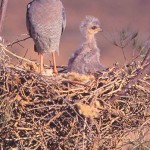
(71, 111)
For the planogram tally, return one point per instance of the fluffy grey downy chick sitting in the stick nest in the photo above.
(86, 59)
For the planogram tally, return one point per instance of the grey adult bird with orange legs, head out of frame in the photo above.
(46, 22)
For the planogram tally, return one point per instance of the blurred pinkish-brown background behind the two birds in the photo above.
(113, 14)
